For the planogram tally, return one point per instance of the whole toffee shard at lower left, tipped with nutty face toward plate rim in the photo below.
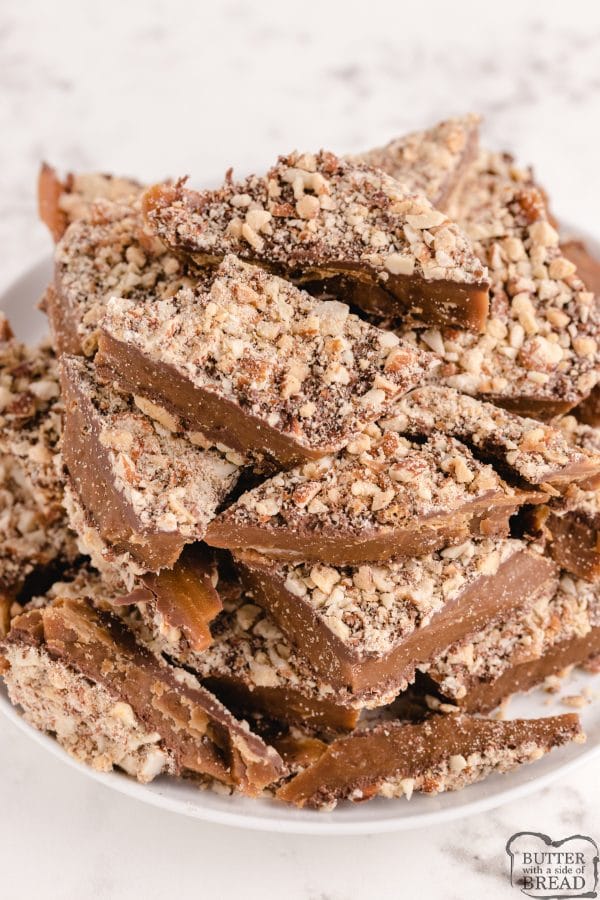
(78, 672)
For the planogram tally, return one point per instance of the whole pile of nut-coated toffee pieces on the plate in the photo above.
(305, 484)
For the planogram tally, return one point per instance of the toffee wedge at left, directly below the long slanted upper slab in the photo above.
(147, 491)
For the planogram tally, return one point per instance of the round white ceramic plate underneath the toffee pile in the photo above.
(265, 815)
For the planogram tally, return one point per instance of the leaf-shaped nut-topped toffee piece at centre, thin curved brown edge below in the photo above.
(383, 497)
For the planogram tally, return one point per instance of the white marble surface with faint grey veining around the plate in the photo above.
(159, 88)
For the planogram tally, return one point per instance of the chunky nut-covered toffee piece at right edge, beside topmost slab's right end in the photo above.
(539, 355)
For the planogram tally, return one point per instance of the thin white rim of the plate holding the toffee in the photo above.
(323, 823)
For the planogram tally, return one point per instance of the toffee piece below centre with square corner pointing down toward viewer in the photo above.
(366, 628)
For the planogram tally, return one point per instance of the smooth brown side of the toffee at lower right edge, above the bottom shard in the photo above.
(484, 696)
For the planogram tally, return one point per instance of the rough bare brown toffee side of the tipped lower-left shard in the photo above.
(194, 727)
